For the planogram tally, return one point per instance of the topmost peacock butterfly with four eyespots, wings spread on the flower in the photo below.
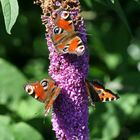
(65, 37)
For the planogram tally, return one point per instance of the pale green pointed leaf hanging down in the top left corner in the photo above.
(10, 11)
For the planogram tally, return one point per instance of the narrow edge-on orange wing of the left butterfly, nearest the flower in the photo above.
(53, 98)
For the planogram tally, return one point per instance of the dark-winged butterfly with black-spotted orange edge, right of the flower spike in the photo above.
(97, 92)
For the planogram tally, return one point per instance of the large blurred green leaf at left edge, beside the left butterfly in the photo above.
(11, 85)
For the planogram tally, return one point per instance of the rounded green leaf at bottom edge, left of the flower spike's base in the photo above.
(22, 131)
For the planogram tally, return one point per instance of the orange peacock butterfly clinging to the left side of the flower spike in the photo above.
(45, 91)
